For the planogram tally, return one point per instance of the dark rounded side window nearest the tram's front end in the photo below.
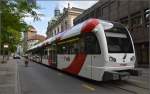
(91, 44)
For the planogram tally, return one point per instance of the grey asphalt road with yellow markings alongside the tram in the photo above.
(39, 79)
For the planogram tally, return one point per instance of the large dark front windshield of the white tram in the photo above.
(118, 40)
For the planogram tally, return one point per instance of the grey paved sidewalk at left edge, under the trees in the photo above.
(8, 77)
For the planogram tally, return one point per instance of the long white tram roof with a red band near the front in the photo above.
(75, 30)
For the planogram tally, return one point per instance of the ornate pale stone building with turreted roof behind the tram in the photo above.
(62, 21)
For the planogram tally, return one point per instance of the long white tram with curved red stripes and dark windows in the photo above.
(95, 49)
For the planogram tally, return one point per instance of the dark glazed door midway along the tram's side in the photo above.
(53, 55)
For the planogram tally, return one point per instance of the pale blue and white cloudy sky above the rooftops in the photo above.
(47, 8)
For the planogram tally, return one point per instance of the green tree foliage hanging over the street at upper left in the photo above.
(12, 25)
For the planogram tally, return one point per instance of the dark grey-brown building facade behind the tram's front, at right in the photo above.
(131, 13)
